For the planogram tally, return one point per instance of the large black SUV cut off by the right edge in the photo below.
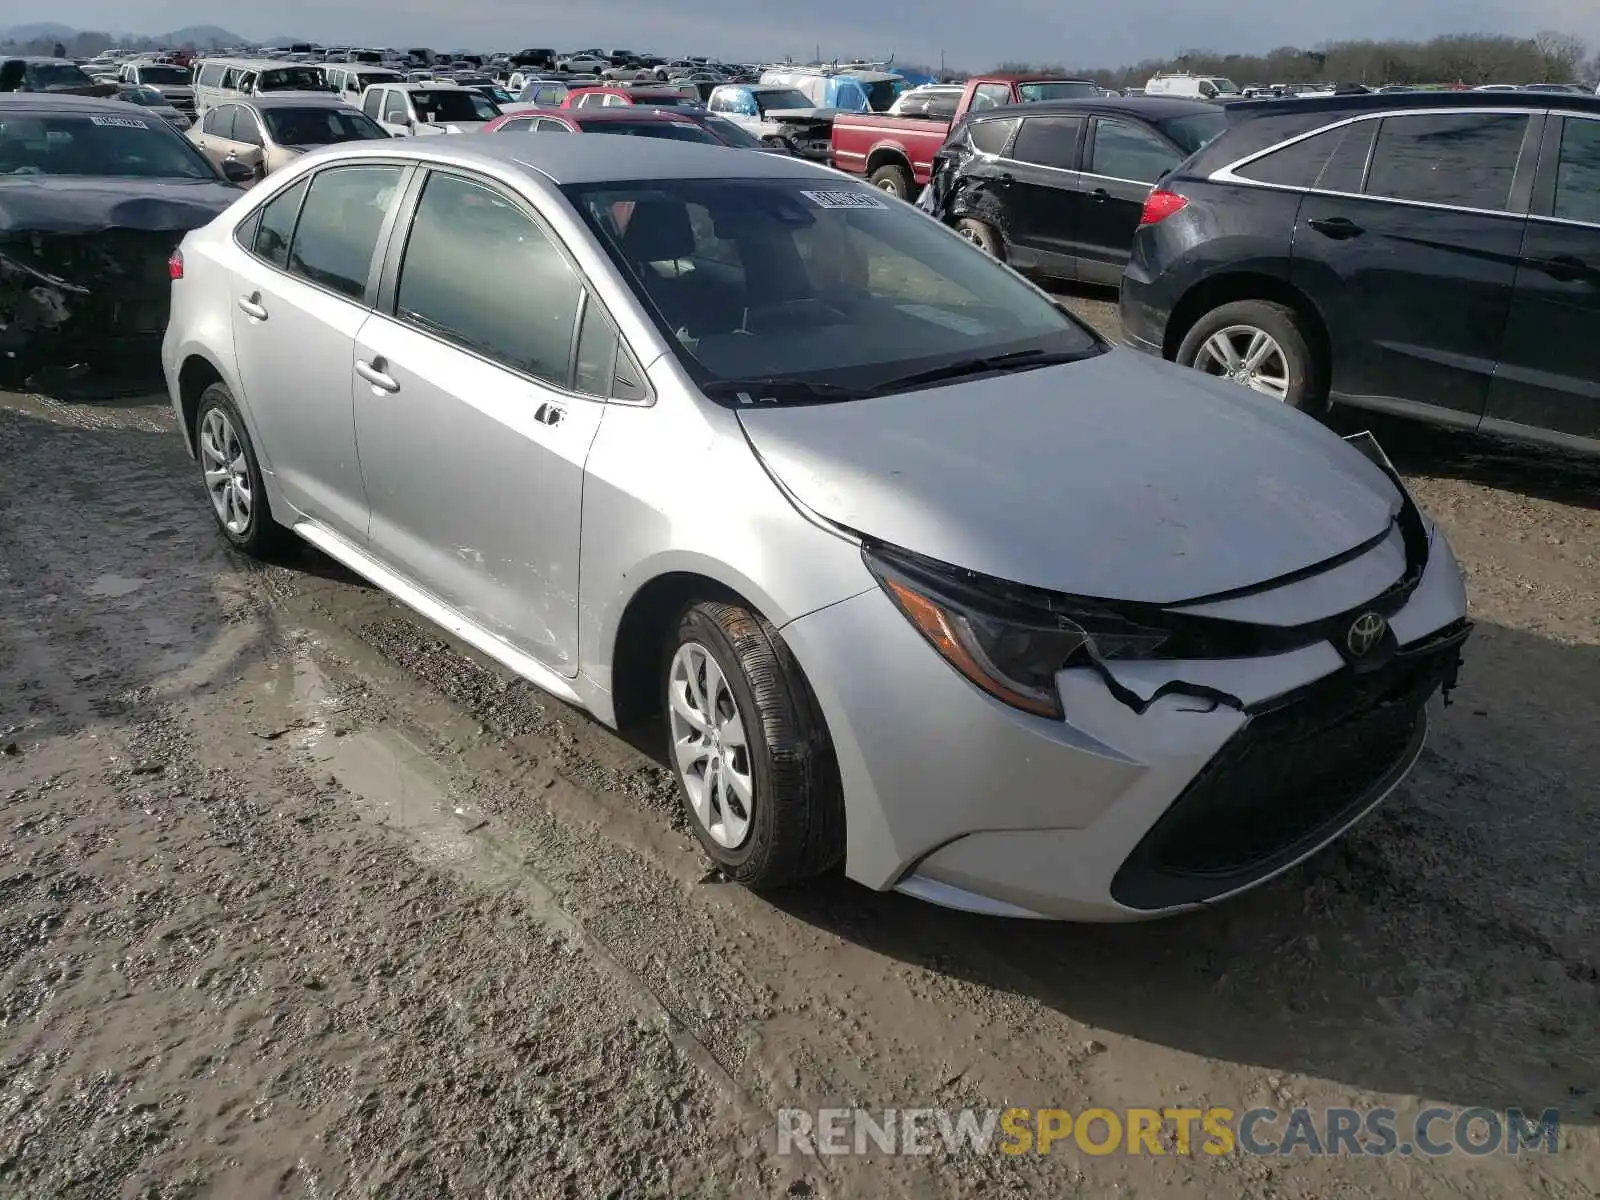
(1426, 255)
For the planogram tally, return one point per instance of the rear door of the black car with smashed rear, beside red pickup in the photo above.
(1042, 182)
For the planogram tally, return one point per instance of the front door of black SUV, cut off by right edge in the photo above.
(1550, 370)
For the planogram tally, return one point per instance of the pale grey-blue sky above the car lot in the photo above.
(970, 33)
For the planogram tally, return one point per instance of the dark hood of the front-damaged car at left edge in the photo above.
(44, 204)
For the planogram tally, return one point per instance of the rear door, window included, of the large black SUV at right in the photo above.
(1414, 270)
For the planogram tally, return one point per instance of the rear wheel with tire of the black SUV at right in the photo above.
(1222, 345)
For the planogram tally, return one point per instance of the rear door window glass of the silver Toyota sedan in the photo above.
(340, 225)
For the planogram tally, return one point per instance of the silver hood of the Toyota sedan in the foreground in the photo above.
(1119, 478)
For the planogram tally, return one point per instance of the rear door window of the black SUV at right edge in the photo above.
(1449, 159)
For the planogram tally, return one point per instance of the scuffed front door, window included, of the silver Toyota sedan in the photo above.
(473, 428)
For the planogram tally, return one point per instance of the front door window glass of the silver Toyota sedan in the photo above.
(471, 260)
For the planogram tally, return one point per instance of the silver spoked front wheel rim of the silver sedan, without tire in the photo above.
(711, 748)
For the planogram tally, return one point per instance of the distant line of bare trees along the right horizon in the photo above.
(1455, 58)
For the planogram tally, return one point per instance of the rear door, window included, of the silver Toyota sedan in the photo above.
(298, 305)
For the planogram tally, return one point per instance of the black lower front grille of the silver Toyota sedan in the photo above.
(1290, 780)
